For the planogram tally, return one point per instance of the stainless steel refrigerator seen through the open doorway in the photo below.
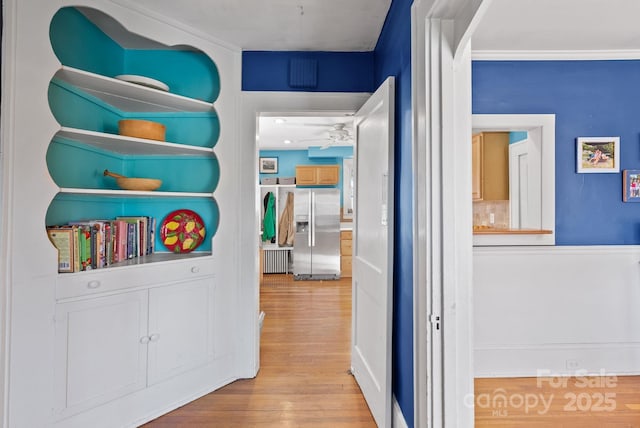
(316, 249)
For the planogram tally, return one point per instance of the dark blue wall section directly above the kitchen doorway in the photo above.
(336, 71)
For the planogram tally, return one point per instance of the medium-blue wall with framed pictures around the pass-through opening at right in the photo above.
(589, 99)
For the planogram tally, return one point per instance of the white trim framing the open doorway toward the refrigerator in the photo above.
(252, 104)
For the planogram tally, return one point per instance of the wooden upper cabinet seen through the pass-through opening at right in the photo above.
(490, 166)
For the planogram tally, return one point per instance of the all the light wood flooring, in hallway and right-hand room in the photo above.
(303, 379)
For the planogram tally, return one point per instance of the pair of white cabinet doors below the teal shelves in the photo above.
(110, 346)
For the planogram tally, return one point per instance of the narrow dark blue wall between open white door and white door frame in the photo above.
(393, 58)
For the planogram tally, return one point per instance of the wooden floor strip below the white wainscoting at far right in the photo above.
(576, 402)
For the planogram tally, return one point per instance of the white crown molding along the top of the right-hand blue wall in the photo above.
(559, 55)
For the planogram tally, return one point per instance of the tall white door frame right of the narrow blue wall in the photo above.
(442, 227)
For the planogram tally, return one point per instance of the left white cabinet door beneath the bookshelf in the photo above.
(100, 350)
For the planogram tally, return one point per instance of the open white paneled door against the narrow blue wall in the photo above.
(373, 251)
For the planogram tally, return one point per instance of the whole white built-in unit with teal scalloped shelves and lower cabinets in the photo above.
(123, 342)
